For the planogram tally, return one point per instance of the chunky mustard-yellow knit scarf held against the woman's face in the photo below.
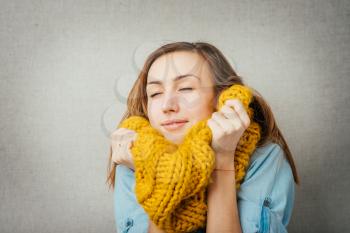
(171, 180)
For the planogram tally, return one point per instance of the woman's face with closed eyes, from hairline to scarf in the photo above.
(179, 88)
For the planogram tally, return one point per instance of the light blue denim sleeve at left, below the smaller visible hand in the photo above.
(130, 217)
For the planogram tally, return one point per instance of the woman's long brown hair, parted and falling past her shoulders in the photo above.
(224, 77)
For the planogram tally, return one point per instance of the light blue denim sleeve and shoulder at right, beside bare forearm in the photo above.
(266, 196)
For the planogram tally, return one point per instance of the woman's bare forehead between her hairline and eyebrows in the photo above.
(171, 65)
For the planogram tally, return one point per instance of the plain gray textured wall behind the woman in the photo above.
(67, 67)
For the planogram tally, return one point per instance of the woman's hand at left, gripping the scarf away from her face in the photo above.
(121, 141)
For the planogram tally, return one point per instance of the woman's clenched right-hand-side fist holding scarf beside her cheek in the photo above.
(227, 126)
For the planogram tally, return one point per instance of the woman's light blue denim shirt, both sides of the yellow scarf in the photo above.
(265, 199)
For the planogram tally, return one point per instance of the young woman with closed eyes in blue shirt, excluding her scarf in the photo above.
(178, 86)
